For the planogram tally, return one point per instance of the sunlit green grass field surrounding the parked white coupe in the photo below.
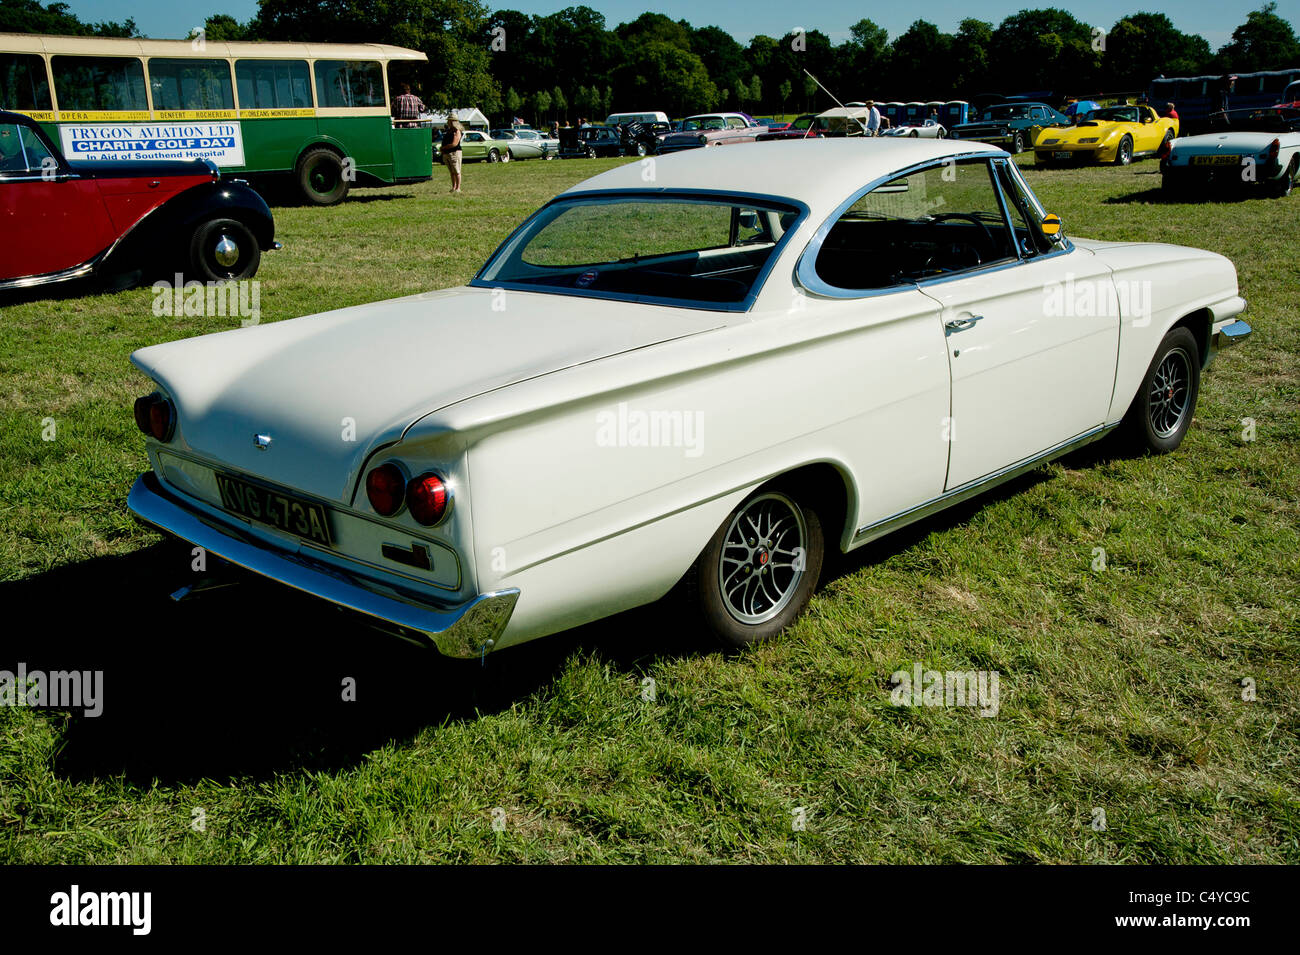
(226, 737)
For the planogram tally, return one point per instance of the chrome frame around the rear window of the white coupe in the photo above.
(800, 209)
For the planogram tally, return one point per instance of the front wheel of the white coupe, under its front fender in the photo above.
(1163, 410)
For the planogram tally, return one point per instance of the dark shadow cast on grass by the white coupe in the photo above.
(250, 681)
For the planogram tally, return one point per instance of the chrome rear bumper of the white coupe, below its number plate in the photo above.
(463, 631)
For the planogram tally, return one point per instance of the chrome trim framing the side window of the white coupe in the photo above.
(805, 270)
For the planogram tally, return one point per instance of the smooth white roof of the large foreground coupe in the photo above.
(782, 170)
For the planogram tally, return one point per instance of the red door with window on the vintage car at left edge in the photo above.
(59, 216)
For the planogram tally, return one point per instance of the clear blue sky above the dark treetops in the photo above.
(1212, 19)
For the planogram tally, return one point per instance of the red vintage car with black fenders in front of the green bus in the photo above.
(109, 219)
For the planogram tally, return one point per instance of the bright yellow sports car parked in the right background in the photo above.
(1111, 134)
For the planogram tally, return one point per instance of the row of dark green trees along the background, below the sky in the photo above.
(571, 63)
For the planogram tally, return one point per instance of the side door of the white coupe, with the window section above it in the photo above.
(1033, 329)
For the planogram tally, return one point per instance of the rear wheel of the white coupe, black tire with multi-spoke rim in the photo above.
(773, 607)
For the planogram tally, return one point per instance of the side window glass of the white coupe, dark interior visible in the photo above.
(942, 220)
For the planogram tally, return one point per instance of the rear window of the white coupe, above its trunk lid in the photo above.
(709, 253)
